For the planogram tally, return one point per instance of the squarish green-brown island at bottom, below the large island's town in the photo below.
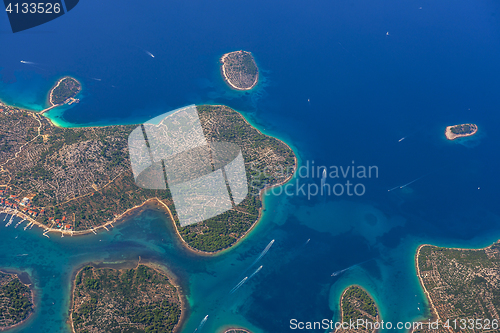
(124, 300)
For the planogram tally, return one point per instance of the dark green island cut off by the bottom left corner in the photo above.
(16, 301)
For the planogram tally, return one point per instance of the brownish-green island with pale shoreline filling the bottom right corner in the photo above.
(462, 285)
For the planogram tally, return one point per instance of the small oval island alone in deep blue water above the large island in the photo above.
(239, 70)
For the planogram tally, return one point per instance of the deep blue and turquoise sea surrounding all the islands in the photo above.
(342, 82)
